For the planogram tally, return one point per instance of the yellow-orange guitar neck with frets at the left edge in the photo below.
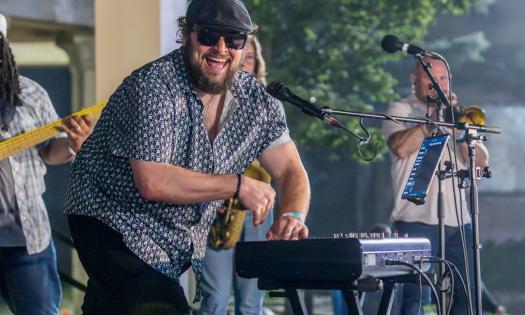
(33, 137)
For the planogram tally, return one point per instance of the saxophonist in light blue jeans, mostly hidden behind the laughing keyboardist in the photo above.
(218, 273)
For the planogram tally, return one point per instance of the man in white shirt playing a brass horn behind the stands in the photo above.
(404, 141)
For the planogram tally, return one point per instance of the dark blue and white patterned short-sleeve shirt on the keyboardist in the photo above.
(156, 115)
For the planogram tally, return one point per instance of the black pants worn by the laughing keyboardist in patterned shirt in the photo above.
(120, 282)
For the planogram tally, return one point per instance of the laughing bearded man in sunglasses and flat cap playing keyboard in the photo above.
(170, 146)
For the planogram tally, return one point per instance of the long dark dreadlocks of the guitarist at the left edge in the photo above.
(9, 84)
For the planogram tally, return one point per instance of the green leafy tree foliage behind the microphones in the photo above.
(329, 50)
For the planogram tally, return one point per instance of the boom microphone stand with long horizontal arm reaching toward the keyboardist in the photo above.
(473, 177)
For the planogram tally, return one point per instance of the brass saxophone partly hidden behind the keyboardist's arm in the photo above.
(227, 227)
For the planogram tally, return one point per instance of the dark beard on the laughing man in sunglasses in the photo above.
(200, 79)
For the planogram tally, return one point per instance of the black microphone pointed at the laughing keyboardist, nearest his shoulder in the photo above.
(281, 92)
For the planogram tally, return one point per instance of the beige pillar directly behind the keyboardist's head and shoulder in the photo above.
(131, 33)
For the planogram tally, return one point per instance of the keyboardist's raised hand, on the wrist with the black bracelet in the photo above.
(258, 197)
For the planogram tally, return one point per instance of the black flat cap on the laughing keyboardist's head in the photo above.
(227, 15)
